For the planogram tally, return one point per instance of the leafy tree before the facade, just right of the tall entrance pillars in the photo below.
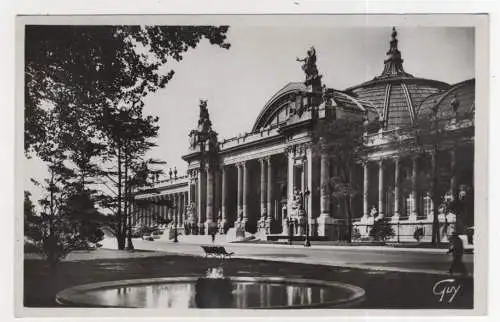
(341, 140)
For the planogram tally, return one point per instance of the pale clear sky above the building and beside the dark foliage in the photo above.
(238, 82)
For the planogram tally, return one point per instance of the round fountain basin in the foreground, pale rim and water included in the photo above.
(231, 292)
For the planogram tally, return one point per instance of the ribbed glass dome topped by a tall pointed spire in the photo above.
(396, 94)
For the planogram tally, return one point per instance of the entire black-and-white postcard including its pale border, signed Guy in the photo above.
(250, 163)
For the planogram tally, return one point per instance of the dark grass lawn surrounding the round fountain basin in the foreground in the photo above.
(383, 289)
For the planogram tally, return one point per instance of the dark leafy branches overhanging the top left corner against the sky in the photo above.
(97, 66)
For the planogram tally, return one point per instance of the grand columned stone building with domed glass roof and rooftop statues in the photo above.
(268, 181)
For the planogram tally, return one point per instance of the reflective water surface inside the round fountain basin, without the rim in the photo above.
(203, 294)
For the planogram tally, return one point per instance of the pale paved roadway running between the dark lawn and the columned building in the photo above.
(430, 261)
